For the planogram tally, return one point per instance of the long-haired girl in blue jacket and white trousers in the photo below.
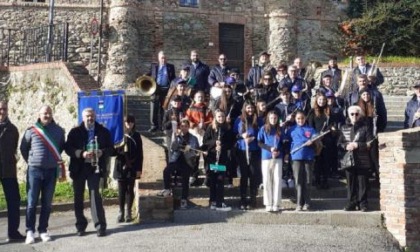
(270, 140)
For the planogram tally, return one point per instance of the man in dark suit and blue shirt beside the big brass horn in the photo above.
(163, 73)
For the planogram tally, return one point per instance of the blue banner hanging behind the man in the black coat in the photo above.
(109, 108)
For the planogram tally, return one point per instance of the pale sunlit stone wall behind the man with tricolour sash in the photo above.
(32, 86)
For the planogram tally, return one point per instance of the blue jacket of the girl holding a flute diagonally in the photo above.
(299, 135)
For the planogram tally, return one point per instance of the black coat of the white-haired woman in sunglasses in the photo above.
(347, 134)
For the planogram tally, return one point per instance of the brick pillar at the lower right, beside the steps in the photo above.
(400, 185)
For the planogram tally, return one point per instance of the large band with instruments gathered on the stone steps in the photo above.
(277, 128)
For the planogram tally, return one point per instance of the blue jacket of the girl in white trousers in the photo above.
(268, 140)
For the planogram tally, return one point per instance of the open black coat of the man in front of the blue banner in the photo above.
(77, 141)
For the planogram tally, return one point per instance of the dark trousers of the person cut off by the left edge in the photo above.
(11, 193)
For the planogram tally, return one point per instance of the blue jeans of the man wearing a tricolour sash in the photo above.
(39, 181)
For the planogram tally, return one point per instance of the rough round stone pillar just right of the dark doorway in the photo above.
(283, 36)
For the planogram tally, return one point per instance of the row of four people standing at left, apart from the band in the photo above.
(88, 145)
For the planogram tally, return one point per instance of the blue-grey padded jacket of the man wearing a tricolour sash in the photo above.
(35, 152)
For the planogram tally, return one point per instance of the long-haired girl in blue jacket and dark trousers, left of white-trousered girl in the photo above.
(249, 154)
